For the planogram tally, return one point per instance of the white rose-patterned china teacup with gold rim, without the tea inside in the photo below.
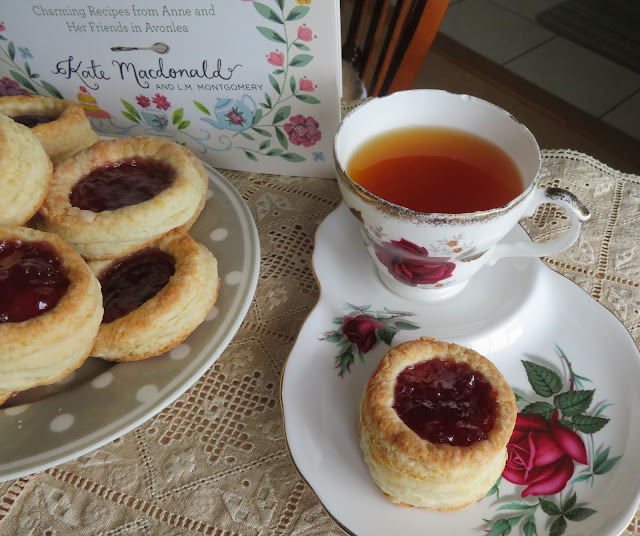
(432, 256)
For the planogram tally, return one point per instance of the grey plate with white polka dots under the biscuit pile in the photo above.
(101, 401)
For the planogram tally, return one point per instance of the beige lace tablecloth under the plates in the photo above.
(165, 478)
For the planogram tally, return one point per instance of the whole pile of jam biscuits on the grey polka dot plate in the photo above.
(53, 171)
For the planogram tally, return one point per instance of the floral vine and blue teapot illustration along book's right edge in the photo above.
(274, 127)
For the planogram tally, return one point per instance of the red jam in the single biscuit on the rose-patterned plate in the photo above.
(444, 401)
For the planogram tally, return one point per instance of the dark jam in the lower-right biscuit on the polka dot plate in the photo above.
(133, 280)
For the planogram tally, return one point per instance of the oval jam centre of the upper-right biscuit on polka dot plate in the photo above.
(121, 184)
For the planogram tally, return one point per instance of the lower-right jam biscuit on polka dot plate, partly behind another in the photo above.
(154, 298)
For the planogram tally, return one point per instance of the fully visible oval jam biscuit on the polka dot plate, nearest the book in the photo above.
(120, 195)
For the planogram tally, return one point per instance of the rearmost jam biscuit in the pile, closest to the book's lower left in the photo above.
(61, 125)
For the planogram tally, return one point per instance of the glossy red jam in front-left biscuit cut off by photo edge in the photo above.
(31, 279)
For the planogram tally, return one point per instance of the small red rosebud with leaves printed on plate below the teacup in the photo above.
(361, 329)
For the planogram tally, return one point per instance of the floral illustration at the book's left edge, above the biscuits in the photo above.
(23, 80)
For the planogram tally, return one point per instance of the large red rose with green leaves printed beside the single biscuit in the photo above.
(552, 453)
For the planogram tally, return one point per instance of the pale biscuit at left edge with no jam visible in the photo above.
(25, 173)
